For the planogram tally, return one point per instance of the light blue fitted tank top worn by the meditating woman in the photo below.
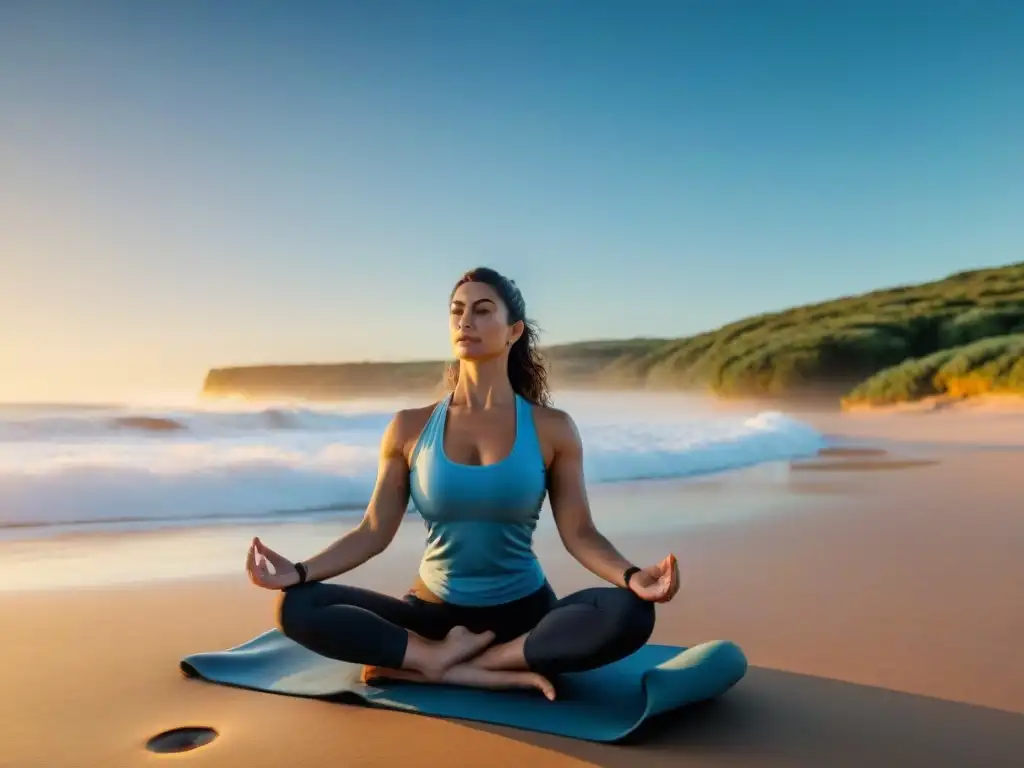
(480, 520)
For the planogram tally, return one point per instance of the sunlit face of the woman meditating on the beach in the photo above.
(479, 323)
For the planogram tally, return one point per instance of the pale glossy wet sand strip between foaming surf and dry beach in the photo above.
(121, 558)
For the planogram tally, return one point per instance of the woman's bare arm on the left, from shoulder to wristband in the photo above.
(383, 516)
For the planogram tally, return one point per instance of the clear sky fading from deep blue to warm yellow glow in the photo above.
(192, 185)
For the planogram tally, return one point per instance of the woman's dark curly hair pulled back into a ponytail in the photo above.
(527, 370)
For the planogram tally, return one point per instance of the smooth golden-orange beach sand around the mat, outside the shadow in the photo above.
(878, 599)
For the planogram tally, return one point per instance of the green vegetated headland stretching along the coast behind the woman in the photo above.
(907, 343)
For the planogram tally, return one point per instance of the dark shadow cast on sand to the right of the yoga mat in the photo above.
(784, 719)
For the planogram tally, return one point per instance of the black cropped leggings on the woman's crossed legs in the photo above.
(582, 631)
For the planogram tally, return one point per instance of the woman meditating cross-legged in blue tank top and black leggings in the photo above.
(478, 465)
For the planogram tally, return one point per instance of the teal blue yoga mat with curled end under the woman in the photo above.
(603, 705)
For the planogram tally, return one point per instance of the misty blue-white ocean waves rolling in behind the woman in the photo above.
(98, 467)
